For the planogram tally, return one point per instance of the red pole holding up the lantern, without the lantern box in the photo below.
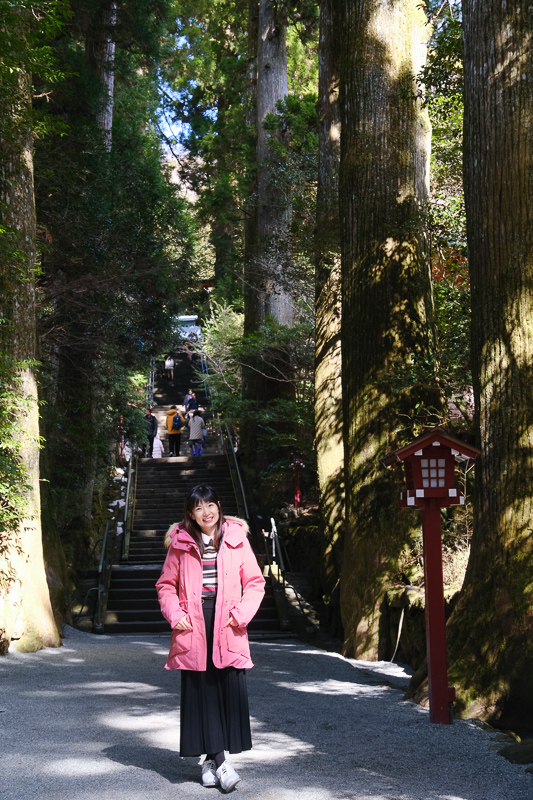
(440, 694)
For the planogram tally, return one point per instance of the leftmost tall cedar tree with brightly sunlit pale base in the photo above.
(25, 609)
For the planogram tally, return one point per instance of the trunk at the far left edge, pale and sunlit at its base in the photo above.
(25, 609)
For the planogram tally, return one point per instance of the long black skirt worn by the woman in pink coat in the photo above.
(214, 713)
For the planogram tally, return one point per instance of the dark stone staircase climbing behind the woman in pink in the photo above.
(160, 488)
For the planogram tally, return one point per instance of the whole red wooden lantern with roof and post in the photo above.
(429, 463)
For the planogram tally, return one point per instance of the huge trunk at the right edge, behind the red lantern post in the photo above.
(490, 634)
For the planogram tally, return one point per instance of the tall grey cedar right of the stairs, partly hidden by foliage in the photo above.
(265, 277)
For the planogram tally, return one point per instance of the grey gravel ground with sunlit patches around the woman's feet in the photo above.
(98, 718)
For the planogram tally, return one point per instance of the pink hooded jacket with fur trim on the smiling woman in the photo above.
(240, 591)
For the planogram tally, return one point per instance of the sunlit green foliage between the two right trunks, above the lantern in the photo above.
(442, 80)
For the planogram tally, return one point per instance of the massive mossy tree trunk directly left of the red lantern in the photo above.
(387, 305)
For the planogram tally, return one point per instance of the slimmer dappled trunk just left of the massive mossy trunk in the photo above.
(328, 389)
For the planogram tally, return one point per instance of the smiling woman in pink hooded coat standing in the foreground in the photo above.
(210, 588)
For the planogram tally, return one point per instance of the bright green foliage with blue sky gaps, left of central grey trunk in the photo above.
(205, 99)
